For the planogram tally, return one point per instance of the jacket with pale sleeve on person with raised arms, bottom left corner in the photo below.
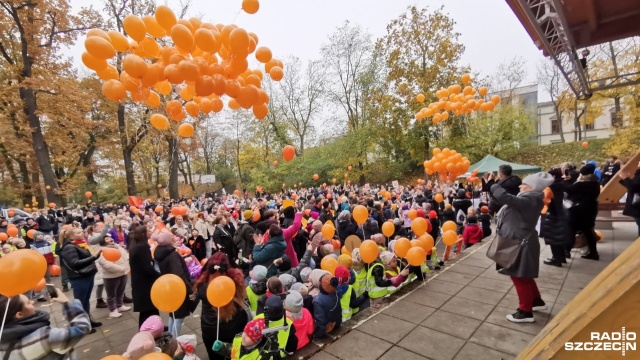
(45, 342)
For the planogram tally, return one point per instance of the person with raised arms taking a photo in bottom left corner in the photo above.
(28, 333)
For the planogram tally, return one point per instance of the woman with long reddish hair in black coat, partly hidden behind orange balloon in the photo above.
(233, 317)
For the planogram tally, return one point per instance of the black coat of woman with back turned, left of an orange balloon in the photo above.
(143, 275)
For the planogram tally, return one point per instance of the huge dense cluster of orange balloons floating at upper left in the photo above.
(200, 64)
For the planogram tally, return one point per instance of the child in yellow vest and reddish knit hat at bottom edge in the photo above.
(247, 345)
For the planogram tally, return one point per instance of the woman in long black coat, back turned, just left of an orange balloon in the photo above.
(143, 274)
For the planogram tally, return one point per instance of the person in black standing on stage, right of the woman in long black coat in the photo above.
(583, 195)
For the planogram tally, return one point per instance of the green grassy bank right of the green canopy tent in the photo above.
(547, 156)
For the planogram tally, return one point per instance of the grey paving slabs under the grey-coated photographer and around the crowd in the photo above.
(459, 313)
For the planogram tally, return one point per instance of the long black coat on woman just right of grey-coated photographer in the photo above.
(555, 227)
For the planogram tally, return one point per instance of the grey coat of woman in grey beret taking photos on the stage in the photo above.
(517, 221)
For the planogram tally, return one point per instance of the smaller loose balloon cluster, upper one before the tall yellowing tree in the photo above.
(457, 100)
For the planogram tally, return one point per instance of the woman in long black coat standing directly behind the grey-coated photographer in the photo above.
(555, 224)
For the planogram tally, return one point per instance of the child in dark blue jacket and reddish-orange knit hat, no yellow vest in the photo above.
(327, 310)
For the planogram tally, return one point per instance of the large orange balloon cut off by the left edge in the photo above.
(21, 271)
